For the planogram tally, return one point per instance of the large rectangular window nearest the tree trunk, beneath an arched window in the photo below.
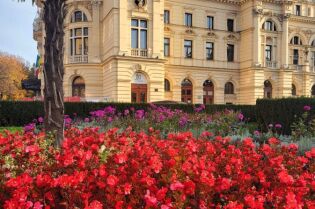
(79, 41)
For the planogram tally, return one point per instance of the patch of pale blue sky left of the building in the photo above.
(16, 33)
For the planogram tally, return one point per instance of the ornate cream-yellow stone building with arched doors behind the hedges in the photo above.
(200, 51)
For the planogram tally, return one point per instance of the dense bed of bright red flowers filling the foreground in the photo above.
(130, 170)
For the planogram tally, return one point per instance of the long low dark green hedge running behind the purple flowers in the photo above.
(21, 113)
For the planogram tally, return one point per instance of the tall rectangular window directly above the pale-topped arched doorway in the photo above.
(139, 34)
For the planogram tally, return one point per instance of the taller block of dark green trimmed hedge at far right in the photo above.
(283, 111)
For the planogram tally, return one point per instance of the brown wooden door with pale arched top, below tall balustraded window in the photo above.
(139, 88)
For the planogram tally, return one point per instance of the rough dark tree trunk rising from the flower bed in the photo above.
(54, 14)
